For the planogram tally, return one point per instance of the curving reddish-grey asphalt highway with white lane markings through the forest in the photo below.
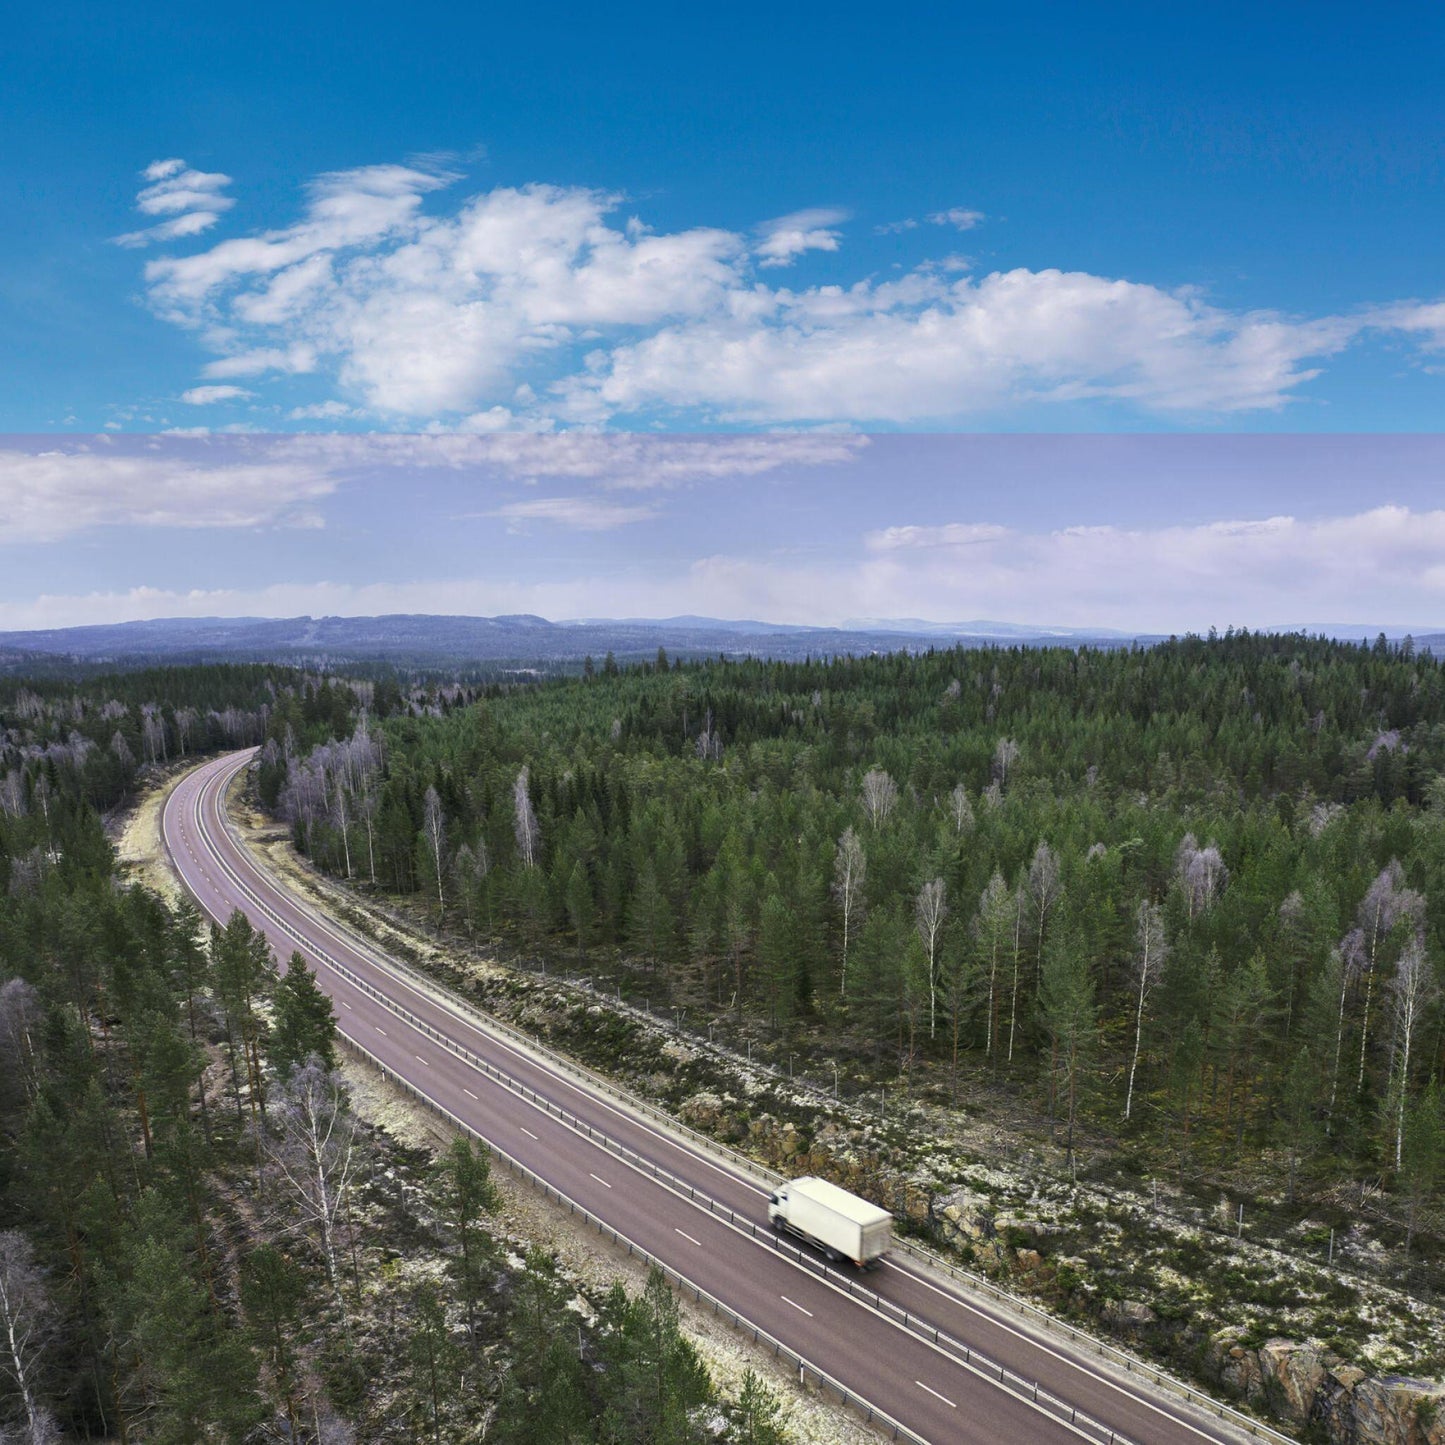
(907, 1340)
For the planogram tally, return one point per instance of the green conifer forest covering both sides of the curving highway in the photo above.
(1174, 910)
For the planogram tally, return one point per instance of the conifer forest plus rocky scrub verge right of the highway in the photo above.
(1158, 923)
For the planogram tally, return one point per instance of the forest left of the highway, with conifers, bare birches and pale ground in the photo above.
(199, 1238)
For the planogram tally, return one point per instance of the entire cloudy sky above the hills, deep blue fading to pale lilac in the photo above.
(1207, 236)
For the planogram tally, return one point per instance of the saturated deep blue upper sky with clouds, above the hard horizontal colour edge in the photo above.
(1164, 217)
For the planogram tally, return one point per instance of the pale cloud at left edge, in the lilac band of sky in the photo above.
(53, 495)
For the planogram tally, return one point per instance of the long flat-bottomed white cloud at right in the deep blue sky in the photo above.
(930, 349)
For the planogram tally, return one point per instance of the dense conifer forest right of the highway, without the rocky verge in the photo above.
(1186, 898)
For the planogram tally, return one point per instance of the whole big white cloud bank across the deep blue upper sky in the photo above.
(528, 307)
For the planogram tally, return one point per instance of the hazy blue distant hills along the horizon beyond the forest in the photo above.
(411, 639)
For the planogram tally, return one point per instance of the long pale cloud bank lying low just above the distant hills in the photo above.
(1255, 573)
